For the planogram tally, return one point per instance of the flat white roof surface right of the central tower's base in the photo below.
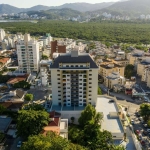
(110, 124)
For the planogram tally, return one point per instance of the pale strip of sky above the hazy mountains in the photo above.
(30, 3)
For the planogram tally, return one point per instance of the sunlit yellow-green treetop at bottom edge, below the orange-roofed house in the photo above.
(49, 142)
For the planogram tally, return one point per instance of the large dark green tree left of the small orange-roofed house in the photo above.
(31, 122)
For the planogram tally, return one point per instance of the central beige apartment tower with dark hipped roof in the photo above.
(74, 79)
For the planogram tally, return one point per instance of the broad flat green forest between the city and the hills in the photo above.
(107, 31)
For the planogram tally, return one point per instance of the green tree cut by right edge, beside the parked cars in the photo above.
(145, 111)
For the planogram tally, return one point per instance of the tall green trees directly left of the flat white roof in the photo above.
(89, 133)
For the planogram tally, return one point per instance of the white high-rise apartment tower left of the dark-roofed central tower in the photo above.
(28, 54)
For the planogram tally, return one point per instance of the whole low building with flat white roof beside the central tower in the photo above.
(111, 116)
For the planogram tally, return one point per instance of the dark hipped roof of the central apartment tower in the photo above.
(81, 58)
